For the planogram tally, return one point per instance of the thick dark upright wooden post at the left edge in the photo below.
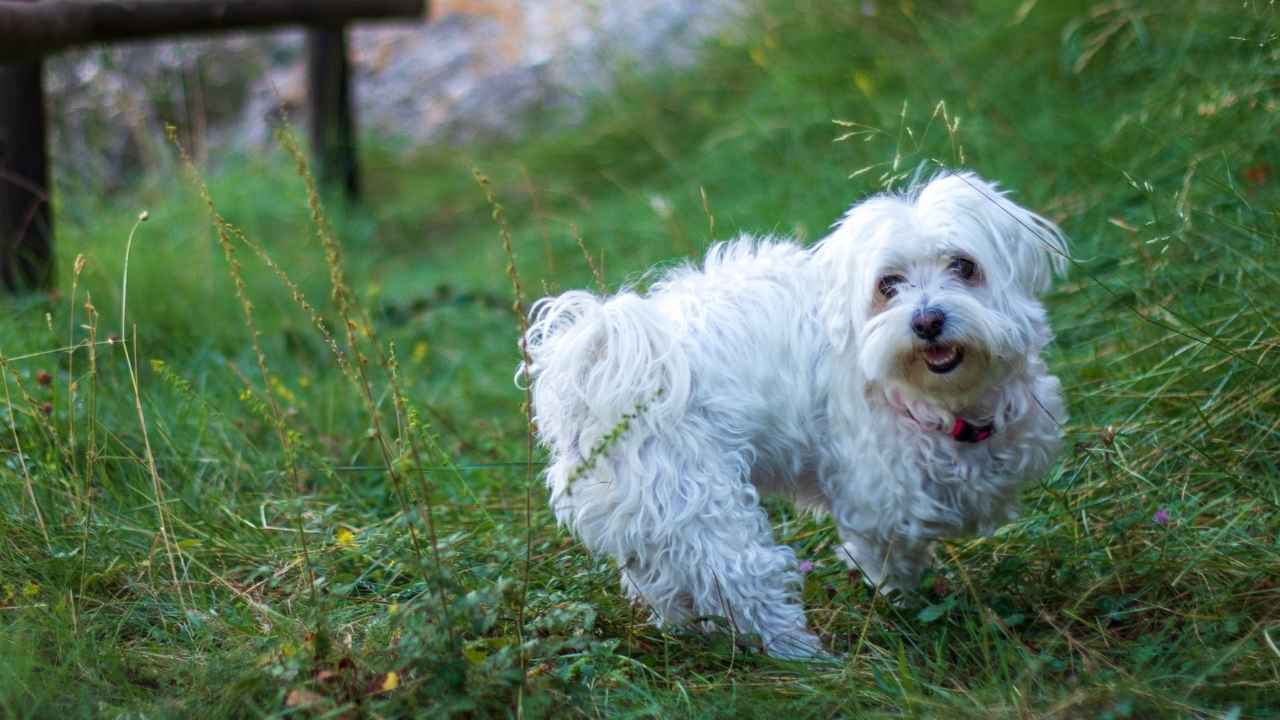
(26, 227)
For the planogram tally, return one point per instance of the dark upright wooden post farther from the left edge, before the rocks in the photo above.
(333, 134)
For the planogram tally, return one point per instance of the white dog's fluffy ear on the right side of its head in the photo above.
(1028, 249)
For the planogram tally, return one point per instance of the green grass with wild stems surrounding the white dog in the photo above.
(205, 512)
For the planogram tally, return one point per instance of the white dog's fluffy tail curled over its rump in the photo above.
(602, 363)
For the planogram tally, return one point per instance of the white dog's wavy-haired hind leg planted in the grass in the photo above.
(685, 526)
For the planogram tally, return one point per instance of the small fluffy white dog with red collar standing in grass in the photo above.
(889, 376)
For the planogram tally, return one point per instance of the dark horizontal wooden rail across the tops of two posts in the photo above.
(34, 30)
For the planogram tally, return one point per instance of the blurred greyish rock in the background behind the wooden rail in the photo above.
(478, 70)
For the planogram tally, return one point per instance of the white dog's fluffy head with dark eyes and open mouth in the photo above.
(936, 291)
